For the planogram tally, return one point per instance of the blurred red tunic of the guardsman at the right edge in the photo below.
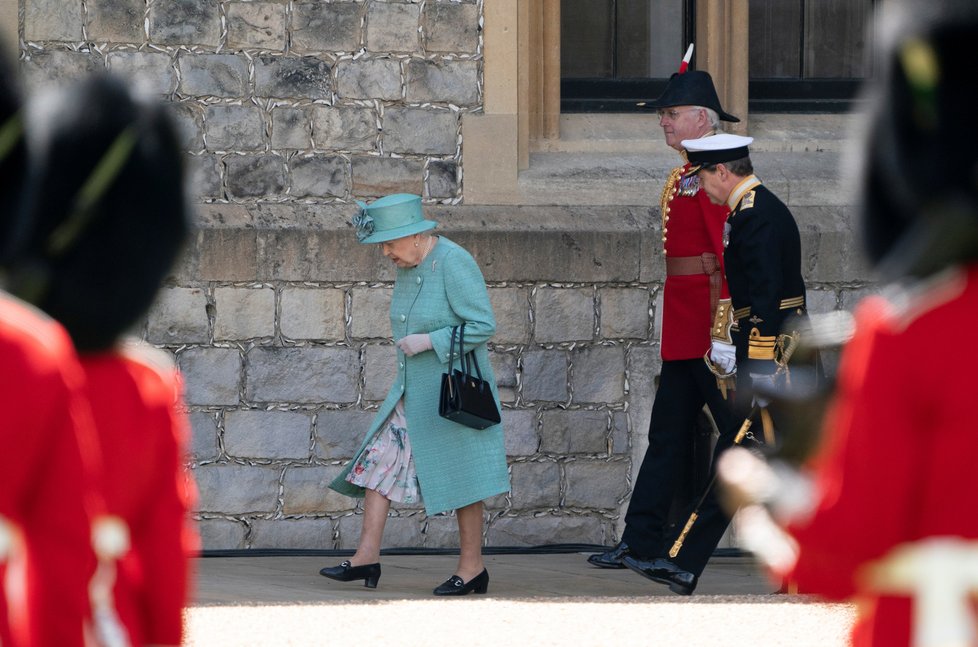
(898, 464)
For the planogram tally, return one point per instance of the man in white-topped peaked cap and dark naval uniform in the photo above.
(762, 260)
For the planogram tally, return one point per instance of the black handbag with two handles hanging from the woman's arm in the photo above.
(466, 398)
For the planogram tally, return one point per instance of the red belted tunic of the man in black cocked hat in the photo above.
(691, 227)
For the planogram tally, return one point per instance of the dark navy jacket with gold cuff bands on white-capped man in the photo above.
(763, 264)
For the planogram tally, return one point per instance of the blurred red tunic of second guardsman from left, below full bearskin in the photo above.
(135, 396)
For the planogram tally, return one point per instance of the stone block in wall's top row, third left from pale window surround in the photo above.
(329, 27)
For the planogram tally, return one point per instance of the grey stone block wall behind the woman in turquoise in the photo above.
(278, 319)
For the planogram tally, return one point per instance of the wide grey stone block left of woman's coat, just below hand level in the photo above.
(302, 374)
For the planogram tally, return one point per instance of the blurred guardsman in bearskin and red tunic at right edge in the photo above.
(892, 522)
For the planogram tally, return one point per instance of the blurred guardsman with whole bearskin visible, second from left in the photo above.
(104, 217)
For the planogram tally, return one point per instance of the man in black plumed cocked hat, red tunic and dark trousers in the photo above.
(692, 233)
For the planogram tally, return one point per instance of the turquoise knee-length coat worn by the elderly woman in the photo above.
(456, 465)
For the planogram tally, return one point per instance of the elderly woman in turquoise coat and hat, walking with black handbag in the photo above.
(410, 453)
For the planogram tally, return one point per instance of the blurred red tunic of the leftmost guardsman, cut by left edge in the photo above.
(47, 461)
